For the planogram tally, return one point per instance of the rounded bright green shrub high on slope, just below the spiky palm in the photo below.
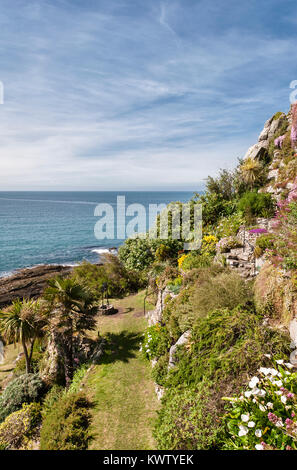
(254, 204)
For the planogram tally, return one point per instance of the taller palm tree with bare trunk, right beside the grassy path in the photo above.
(73, 312)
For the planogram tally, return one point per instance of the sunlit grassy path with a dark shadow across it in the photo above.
(121, 387)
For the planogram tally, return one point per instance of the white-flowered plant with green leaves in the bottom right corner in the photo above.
(265, 415)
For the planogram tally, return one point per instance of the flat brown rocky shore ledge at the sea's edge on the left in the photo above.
(29, 283)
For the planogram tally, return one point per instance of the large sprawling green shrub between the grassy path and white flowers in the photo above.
(225, 348)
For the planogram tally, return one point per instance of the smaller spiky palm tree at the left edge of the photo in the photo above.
(23, 323)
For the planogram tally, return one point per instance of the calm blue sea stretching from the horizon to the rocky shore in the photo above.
(58, 227)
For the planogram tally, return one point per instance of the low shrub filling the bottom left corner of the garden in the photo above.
(21, 427)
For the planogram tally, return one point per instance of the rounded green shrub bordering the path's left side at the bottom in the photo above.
(66, 426)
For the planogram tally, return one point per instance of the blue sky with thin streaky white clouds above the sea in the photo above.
(138, 95)
